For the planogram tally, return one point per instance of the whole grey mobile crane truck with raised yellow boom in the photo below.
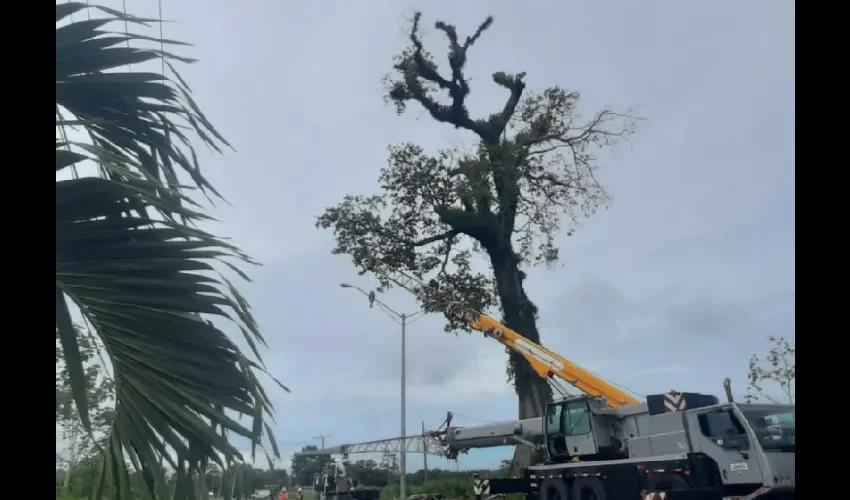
(605, 444)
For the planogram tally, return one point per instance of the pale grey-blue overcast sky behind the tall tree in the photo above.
(674, 287)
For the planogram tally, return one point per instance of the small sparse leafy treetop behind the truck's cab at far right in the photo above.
(773, 376)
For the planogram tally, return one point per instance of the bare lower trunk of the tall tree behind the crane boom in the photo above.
(520, 315)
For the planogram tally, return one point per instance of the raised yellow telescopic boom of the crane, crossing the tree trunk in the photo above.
(546, 363)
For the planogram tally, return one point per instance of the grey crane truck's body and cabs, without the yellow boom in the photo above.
(675, 446)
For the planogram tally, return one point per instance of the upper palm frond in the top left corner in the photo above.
(139, 117)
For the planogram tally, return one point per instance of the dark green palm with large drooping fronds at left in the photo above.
(132, 263)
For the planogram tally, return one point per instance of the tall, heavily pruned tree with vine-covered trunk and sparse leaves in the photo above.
(532, 171)
